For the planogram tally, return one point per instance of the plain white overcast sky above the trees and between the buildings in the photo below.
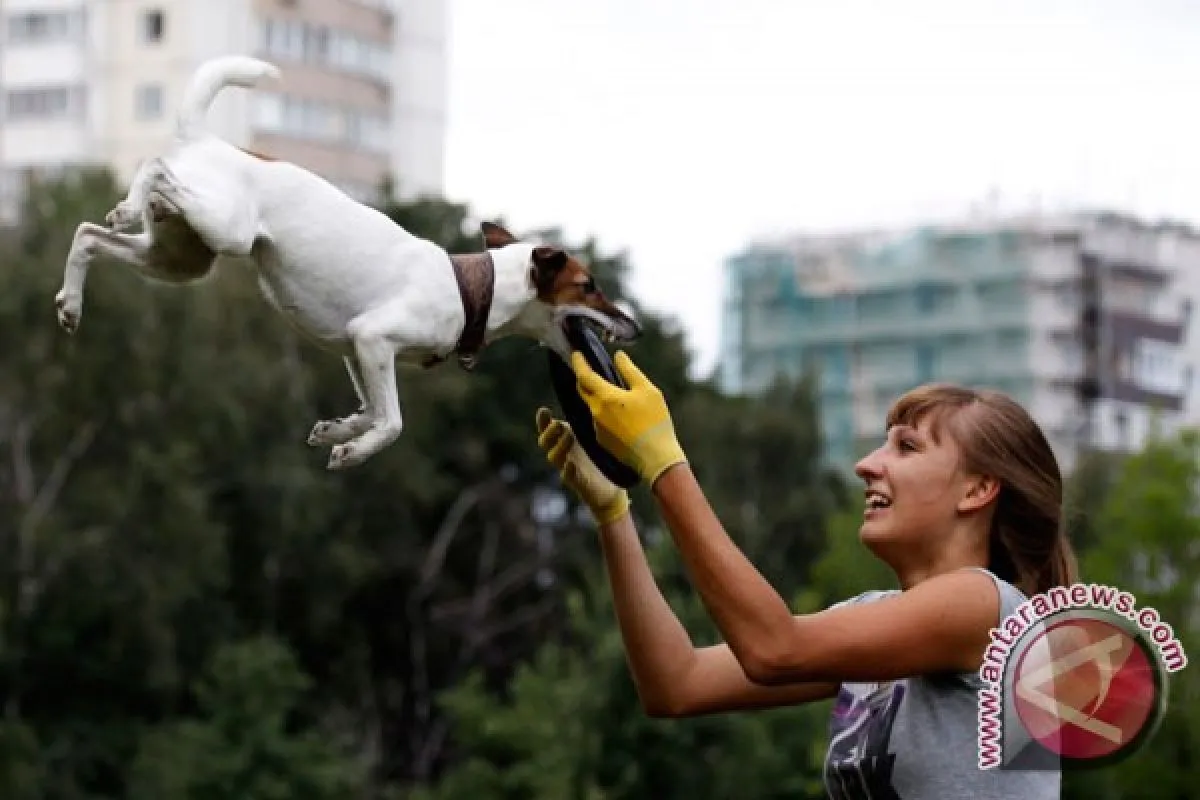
(679, 131)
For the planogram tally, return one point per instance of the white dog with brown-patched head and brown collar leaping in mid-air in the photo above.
(340, 272)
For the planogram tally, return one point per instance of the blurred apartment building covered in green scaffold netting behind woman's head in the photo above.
(1088, 321)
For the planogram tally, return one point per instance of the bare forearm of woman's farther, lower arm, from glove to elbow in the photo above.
(658, 647)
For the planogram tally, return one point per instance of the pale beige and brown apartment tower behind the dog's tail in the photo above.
(98, 82)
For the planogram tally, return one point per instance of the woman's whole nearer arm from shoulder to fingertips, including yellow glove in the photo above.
(940, 625)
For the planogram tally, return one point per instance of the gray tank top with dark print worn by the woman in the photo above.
(919, 738)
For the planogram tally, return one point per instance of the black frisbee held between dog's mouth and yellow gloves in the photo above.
(575, 410)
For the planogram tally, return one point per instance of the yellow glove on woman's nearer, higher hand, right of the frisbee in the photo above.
(634, 425)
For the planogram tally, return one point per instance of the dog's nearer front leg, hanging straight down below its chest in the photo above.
(374, 335)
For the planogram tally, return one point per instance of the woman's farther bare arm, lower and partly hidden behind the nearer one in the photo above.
(674, 678)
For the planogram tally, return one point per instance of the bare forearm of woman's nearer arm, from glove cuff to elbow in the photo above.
(753, 617)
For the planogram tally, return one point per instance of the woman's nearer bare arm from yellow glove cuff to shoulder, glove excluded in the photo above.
(940, 625)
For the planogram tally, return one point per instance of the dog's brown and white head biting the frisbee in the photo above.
(562, 287)
